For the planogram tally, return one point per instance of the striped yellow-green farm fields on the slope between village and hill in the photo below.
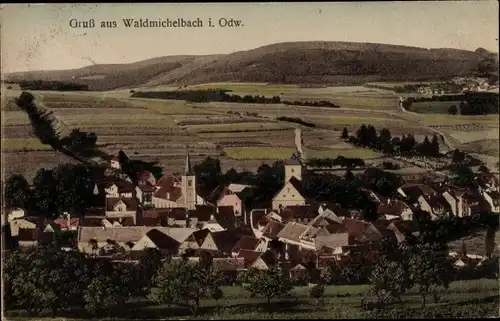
(242, 135)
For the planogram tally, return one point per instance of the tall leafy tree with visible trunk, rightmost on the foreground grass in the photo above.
(428, 269)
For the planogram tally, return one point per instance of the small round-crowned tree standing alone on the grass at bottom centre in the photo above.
(268, 284)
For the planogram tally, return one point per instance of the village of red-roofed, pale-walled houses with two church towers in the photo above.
(178, 216)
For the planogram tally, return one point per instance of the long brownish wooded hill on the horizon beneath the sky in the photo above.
(342, 63)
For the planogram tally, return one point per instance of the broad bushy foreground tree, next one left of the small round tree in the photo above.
(184, 283)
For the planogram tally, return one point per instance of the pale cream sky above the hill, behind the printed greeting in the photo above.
(38, 36)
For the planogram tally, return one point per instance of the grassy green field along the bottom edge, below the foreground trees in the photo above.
(475, 298)
